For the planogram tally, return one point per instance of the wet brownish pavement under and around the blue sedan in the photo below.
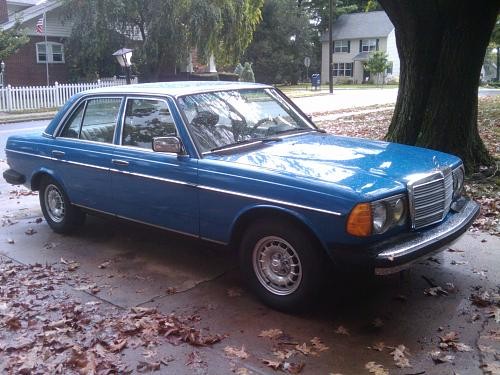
(360, 319)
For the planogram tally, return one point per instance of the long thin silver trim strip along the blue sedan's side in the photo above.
(203, 187)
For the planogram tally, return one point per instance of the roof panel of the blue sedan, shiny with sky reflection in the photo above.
(176, 88)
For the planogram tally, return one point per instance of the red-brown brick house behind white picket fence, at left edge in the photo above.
(28, 66)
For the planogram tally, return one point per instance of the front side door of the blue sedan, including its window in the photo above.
(148, 186)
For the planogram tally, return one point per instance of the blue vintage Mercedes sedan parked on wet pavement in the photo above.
(239, 164)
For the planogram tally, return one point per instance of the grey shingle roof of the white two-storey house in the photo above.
(360, 25)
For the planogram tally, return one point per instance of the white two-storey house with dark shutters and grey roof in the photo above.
(354, 37)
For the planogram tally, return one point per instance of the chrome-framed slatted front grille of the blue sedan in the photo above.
(430, 198)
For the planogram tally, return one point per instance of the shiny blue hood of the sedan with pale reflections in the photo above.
(363, 166)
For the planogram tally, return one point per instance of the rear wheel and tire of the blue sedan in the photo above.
(60, 214)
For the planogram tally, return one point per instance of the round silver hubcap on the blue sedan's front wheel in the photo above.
(277, 265)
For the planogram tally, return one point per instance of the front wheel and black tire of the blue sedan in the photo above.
(282, 265)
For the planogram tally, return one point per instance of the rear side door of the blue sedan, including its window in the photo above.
(84, 148)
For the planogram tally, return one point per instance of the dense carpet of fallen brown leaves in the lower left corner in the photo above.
(44, 329)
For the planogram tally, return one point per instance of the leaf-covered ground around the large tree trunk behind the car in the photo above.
(374, 125)
